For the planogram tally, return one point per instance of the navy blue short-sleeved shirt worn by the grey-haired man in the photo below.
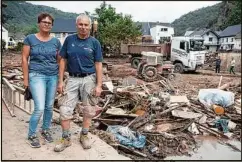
(81, 54)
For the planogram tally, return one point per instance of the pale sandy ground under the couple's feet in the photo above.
(14, 147)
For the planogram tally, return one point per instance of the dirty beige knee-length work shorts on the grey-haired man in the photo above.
(75, 89)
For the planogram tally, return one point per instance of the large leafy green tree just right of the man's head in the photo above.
(114, 28)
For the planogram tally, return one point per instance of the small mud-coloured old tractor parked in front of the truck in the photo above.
(152, 65)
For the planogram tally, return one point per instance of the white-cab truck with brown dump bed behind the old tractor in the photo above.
(185, 53)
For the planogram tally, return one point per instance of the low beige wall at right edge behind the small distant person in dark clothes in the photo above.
(226, 59)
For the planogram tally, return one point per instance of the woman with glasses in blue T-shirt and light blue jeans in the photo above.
(41, 76)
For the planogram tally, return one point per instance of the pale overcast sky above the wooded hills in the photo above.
(152, 11)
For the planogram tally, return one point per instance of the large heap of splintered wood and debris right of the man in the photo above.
(167, 120)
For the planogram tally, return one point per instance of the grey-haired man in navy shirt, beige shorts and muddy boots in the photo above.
(84, 64)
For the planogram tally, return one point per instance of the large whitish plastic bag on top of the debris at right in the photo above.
(210, 97)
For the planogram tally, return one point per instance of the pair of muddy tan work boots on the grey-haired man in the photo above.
(66, 142)
